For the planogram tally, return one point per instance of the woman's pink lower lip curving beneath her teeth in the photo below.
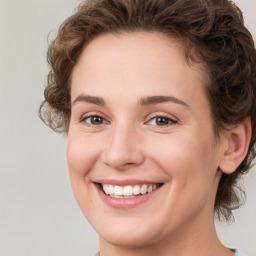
(125, 203)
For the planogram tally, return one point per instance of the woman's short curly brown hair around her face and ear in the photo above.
(212, 32)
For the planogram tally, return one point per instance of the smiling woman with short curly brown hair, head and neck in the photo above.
(158, 100)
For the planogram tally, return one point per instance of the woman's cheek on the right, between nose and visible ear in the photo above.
(187, 158)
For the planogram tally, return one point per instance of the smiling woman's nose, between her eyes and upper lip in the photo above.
(122, 149)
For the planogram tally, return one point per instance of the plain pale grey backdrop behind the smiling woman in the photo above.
(38, 213)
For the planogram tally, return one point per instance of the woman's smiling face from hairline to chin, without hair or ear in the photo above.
(141, 128)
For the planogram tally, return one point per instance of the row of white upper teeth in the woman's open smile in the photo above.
(119, 191)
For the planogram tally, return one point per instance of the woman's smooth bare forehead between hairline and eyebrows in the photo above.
(134, 61)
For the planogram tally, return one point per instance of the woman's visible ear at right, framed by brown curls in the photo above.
(236, 143)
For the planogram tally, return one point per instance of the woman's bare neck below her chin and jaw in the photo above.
(198, 238)
